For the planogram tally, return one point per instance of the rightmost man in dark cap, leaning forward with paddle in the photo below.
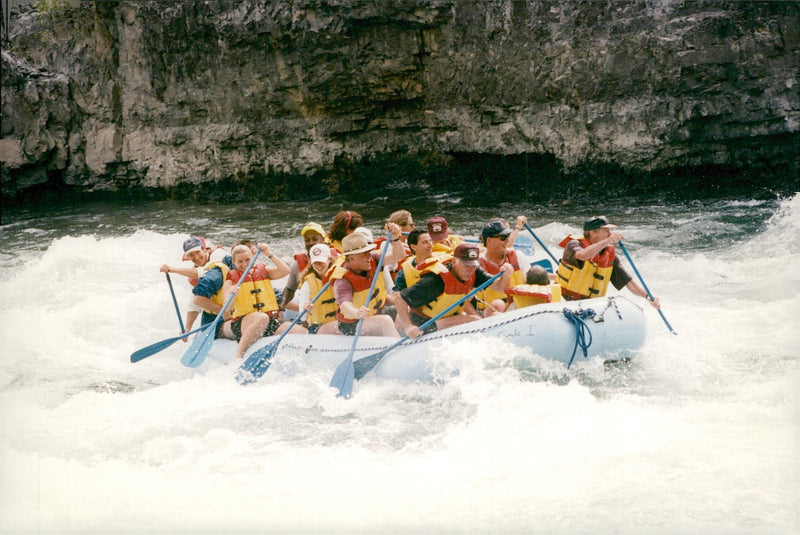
(589, 264)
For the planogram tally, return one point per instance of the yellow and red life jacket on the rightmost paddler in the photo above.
(590, 280)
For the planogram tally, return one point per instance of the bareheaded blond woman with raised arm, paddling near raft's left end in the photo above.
(254, 312)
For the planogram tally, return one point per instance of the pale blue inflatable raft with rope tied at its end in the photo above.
(611, 328)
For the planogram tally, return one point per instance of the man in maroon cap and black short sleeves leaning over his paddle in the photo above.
(441, 286)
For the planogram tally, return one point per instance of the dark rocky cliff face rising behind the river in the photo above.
(130, 95)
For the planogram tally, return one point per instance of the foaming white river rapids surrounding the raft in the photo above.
(698, 434)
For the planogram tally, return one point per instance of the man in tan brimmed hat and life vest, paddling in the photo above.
(352, 279)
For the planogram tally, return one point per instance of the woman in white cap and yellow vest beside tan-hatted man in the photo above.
(321, 313)
